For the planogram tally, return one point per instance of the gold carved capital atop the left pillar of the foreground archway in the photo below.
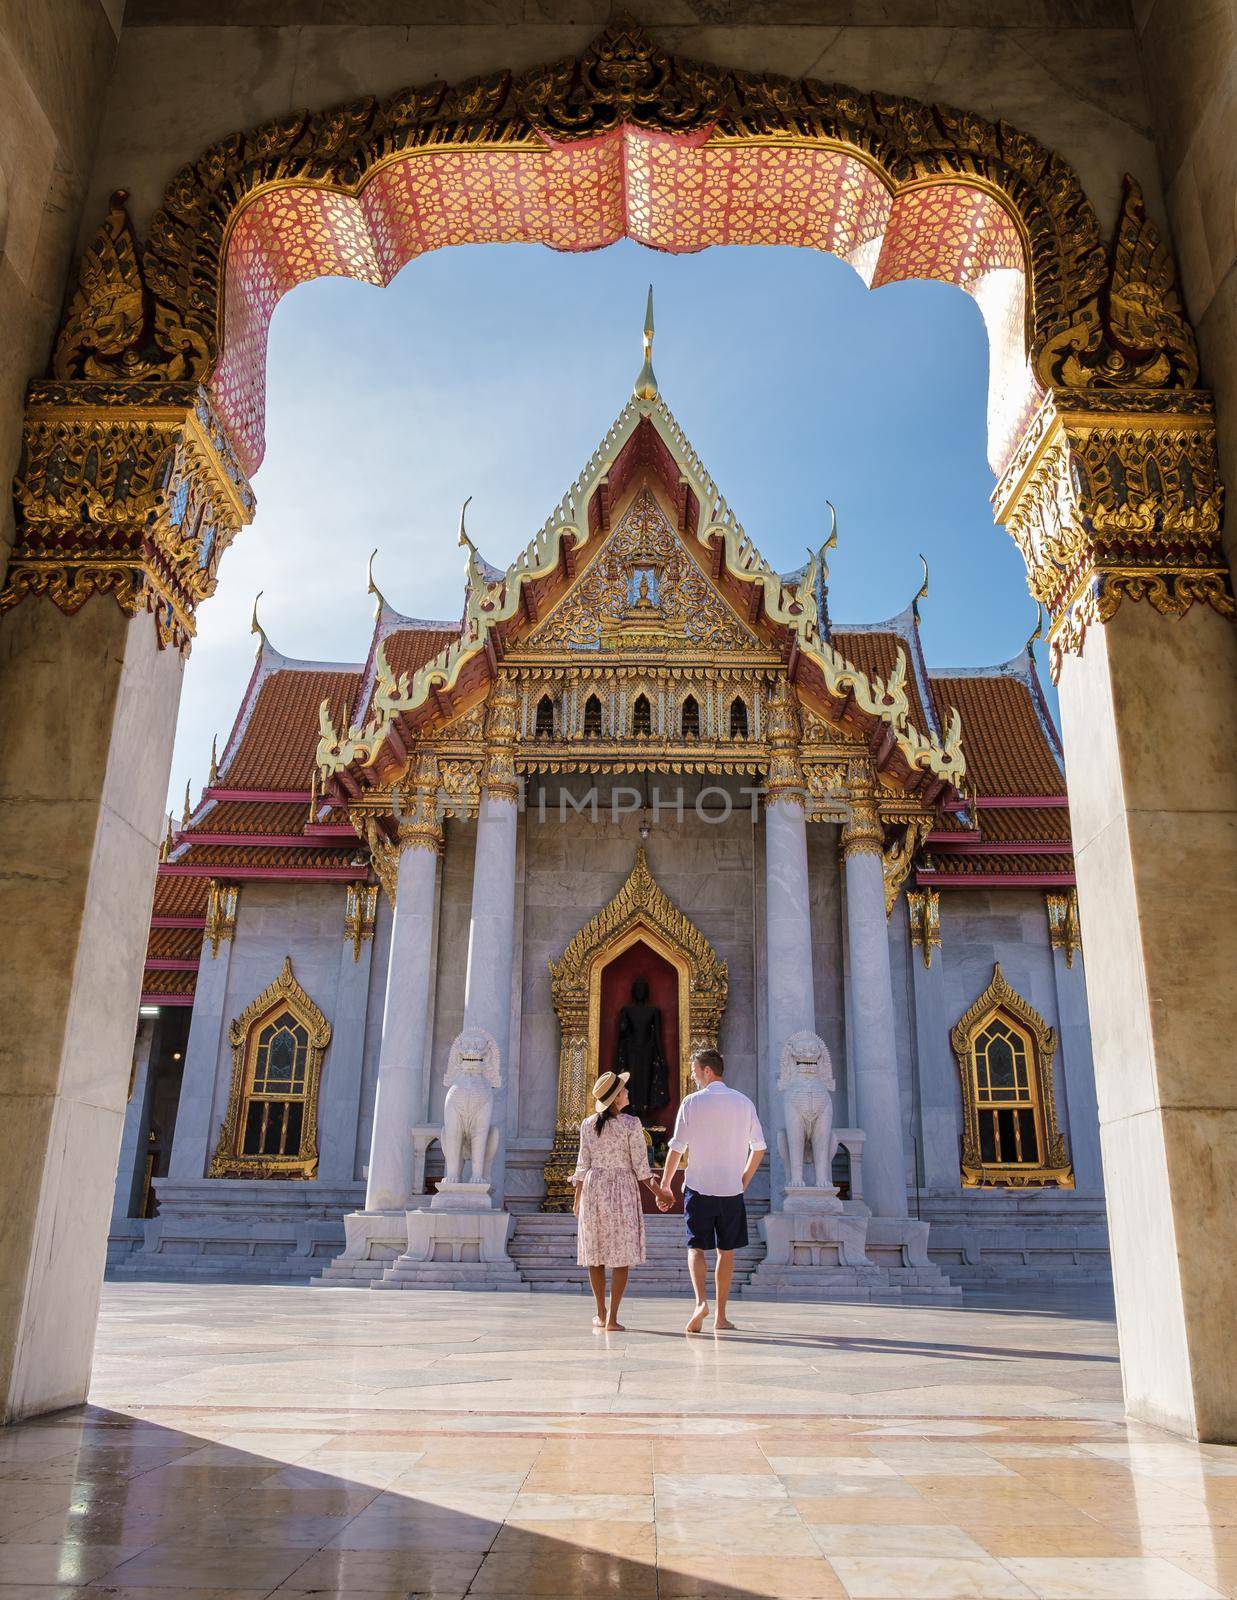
(129, 490)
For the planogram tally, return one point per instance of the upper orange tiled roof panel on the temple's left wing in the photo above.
(282, 730)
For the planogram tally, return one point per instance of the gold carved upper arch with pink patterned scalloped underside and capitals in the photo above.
(140, 444)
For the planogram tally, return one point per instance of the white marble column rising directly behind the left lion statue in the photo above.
(492, 951)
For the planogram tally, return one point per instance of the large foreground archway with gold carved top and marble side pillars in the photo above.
(135, 478)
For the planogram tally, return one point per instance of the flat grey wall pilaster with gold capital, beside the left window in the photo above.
(340, 1095)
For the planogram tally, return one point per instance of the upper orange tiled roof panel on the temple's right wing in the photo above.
(1003, 738)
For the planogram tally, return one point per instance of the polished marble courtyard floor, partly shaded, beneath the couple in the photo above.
(249, 1442)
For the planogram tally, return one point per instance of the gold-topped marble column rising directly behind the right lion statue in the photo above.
(791, 999)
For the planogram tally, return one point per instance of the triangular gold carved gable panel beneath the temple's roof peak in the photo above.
(644, 593)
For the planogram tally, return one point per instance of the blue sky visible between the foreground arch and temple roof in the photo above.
(495, 370)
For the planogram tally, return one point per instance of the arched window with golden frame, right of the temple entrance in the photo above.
(1006, 1057)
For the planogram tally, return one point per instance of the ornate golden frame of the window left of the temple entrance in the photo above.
(244, 1034)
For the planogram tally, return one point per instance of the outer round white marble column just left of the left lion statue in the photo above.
(404, 1065)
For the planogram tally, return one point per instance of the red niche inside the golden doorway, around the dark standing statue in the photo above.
(620, 1046)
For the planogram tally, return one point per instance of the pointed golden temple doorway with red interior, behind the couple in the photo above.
(641, 934)
